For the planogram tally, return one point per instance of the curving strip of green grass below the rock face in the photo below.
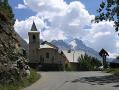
(23, 83)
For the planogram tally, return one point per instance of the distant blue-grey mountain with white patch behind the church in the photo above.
(76, 45)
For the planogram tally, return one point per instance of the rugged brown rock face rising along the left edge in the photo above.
(12, 56)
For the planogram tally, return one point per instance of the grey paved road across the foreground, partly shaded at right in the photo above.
(75, 81)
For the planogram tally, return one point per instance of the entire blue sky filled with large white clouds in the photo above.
(65, 20)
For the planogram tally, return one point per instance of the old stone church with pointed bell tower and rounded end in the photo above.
(44, 55)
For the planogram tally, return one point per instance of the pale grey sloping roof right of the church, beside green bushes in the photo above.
(73, 55)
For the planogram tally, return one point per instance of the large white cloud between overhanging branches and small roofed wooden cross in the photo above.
(102, 35)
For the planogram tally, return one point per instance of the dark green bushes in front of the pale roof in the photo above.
(88, 63)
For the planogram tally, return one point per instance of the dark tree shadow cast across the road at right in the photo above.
(99, 80)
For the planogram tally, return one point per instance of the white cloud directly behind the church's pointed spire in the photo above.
(22, 27)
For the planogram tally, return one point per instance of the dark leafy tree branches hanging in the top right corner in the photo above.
(108, 11)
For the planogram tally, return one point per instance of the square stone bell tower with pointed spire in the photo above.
(34, 44)
